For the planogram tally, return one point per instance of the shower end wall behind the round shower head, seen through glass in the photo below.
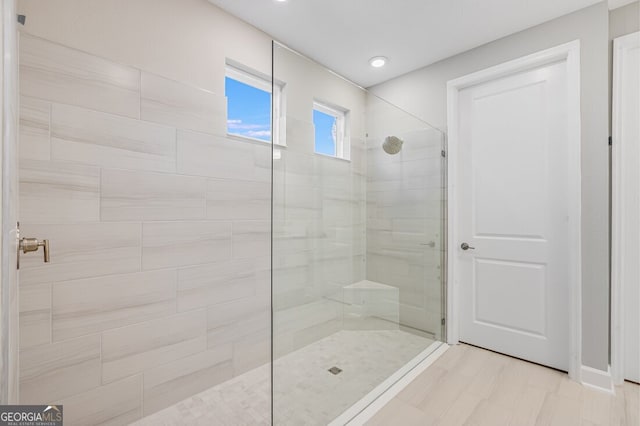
(404, 214)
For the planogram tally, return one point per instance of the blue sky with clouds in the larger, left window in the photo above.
(248, 110)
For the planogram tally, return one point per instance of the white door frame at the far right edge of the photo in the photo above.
(620, 45)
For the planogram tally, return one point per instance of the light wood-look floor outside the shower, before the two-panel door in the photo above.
(472, 386)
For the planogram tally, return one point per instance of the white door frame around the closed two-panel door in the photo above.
(569, 52)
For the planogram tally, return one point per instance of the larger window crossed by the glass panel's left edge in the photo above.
(249, 105)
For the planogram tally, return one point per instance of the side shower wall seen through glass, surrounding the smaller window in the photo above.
(319, 209)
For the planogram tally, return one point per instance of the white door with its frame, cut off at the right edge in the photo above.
(626, 198)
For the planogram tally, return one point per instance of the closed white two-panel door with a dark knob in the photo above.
(512, 201)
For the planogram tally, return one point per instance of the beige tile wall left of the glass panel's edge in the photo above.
(158, 286)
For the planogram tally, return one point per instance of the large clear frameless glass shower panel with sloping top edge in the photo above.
(357, 249)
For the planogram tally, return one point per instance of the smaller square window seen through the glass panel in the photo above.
(330, 125)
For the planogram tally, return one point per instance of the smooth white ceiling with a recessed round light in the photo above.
(344, 34)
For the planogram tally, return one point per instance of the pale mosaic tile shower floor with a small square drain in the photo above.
(306, 392)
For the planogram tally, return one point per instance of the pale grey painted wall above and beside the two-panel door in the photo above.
(424, 93)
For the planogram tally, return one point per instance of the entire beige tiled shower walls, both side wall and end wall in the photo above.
(159, 284)
